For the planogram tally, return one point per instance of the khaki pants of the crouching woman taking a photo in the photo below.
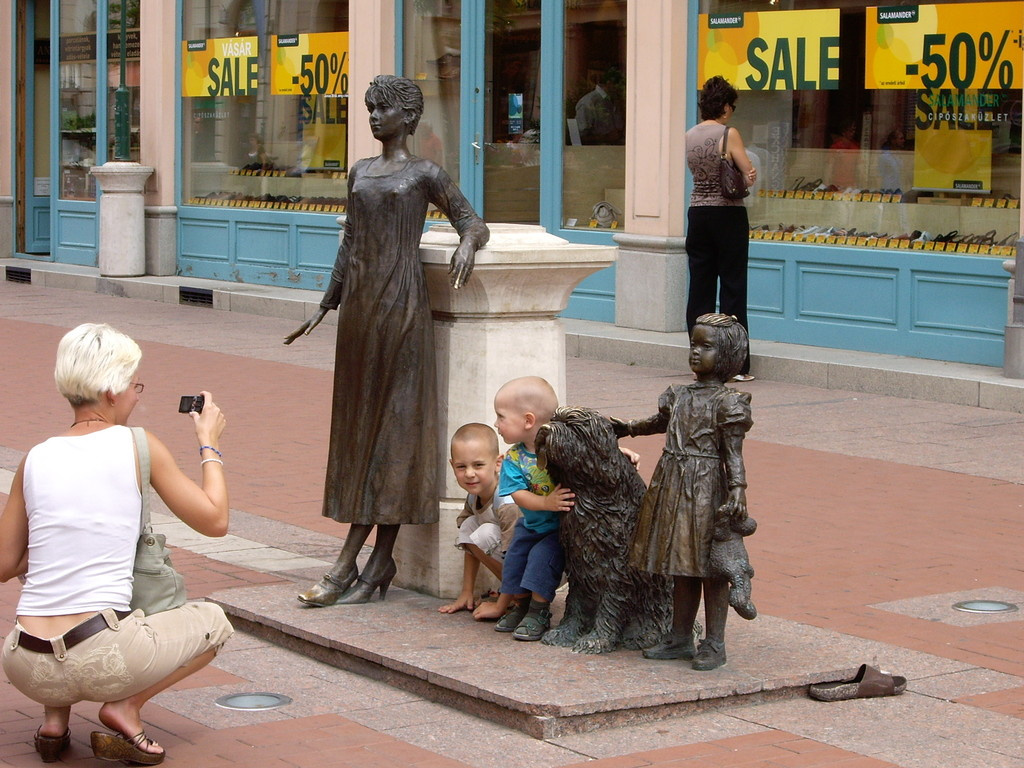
(129, 657)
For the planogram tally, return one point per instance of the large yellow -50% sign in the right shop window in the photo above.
(961, 46)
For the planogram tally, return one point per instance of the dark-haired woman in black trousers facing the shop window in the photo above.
(717, 229)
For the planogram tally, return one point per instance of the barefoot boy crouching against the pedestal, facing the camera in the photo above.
(487, 522)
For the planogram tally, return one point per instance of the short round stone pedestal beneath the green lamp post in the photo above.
(122, 219)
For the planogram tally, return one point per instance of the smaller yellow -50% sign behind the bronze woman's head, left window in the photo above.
(312, 64)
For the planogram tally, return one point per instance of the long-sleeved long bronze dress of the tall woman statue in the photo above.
(386, 434)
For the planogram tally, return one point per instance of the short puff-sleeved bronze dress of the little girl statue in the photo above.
(693, 478)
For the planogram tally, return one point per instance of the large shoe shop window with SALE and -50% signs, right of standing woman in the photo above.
(893, 127)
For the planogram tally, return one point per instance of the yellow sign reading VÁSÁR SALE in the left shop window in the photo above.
(222, 67)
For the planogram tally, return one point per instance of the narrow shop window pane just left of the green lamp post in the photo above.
(77, 57)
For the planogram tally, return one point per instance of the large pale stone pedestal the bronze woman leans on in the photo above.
(501, 325)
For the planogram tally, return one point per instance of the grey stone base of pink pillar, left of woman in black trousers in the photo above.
(651, 283)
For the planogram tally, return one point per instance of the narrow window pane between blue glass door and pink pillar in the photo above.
(594, 104)
